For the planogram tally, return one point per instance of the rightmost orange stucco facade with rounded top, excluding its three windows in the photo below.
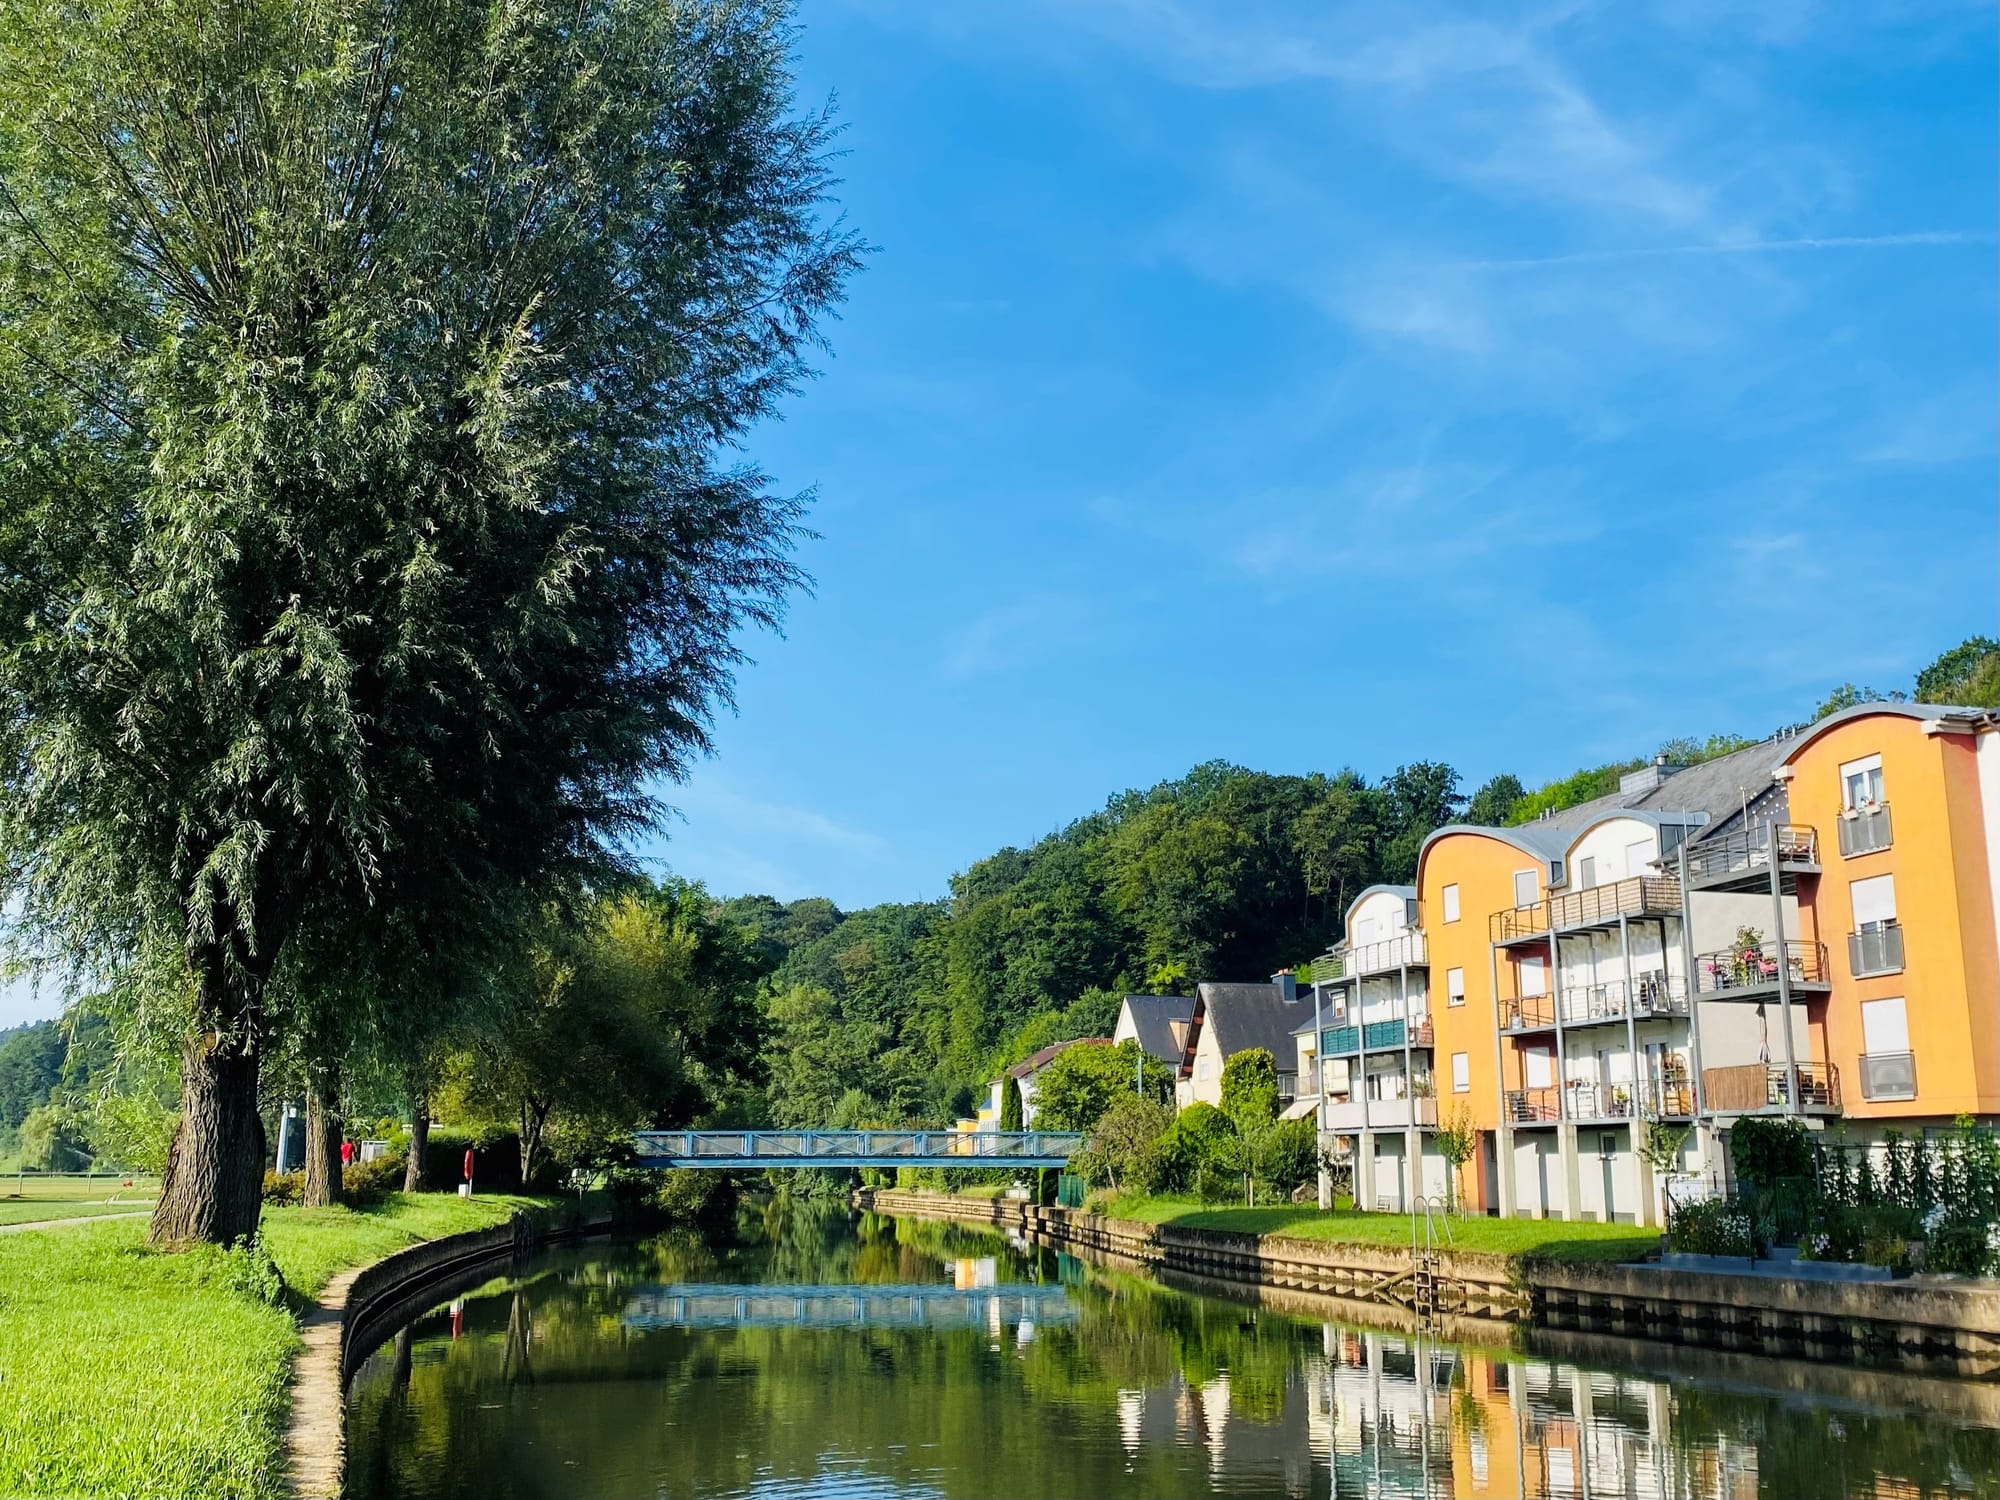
(1939, 859)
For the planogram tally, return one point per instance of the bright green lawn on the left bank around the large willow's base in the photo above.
(127, 1371)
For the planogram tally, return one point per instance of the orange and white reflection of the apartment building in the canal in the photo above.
(1409, 1417)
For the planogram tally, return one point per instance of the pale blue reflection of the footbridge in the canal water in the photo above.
(927, 1305)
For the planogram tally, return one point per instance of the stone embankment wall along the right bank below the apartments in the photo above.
(1943, 1325)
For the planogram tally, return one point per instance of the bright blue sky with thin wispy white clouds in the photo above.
(1319, 387)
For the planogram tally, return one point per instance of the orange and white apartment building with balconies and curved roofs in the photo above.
(1707, 943)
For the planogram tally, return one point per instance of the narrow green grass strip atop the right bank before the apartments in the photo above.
(1509, 1237)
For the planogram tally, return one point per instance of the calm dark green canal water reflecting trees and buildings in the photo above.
(819, 1353)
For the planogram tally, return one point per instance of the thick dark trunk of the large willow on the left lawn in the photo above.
(215, 1175)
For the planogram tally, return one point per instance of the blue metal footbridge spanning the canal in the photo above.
(753, 1149)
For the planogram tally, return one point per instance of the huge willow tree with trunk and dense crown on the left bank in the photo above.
(371, 527)
